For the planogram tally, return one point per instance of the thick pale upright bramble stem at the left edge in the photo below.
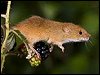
(3, 48)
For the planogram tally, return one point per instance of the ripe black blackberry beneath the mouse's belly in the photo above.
(42, 48)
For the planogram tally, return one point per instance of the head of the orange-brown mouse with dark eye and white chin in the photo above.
(75, 33)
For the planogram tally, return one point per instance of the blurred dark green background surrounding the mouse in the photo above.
(79, 58)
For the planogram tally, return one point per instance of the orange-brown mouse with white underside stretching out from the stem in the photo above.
(37, 28)
